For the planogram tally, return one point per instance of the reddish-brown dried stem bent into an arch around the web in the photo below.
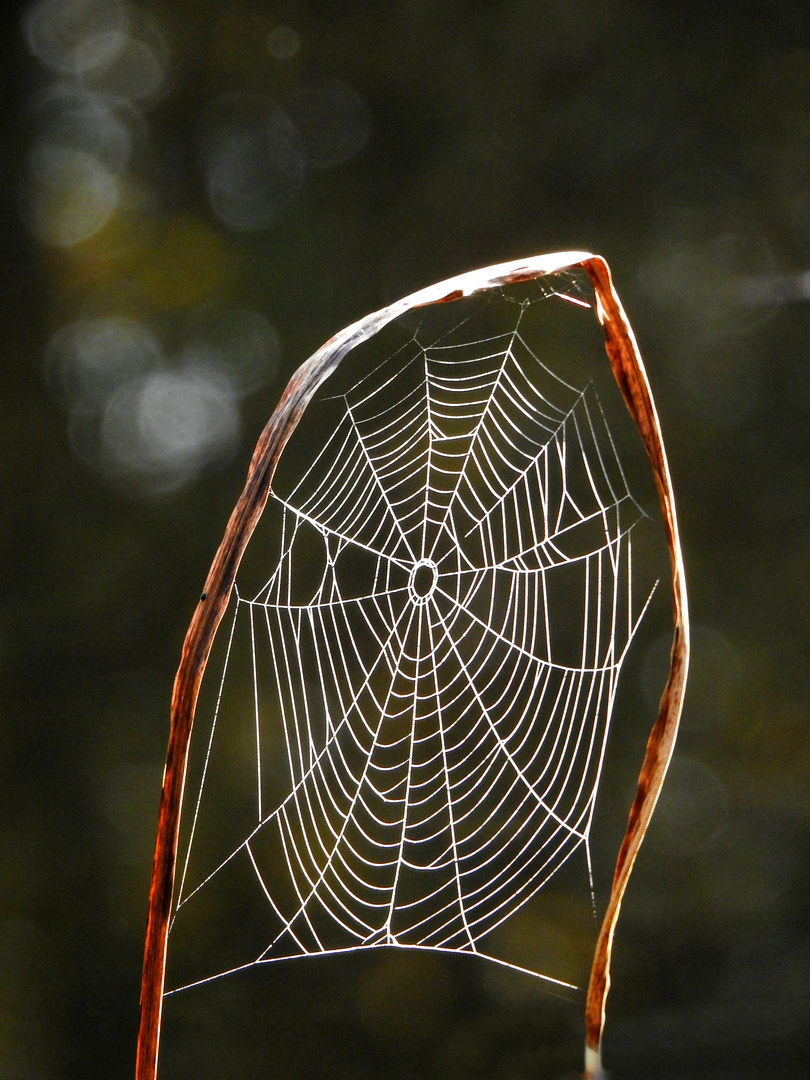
(632, 380)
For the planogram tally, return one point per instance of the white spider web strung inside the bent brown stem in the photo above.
(439, 646)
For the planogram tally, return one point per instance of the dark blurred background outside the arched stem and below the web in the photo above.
(196, 195)
